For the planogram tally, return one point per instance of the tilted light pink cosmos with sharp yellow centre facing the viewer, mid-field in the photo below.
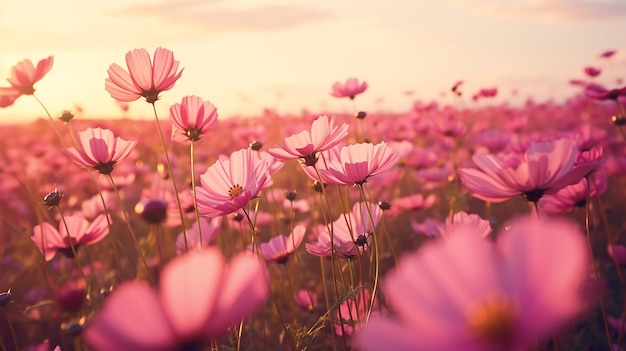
(229, 184)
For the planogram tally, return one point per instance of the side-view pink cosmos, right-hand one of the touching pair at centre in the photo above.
(358, 162)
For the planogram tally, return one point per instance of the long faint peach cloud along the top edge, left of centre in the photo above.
(210, 16)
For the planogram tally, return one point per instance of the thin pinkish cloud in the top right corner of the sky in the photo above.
(568, 11)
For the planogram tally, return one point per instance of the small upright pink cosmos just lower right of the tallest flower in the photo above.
(192, 119)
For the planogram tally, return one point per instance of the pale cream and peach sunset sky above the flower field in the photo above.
(247, 55)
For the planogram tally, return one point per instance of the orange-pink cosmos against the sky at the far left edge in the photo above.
(23, 77)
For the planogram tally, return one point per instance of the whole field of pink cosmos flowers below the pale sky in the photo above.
(464, 226)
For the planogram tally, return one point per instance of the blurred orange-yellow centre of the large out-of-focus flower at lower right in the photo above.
(493, 319)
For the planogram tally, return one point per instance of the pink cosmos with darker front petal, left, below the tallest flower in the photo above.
(101, 150)
